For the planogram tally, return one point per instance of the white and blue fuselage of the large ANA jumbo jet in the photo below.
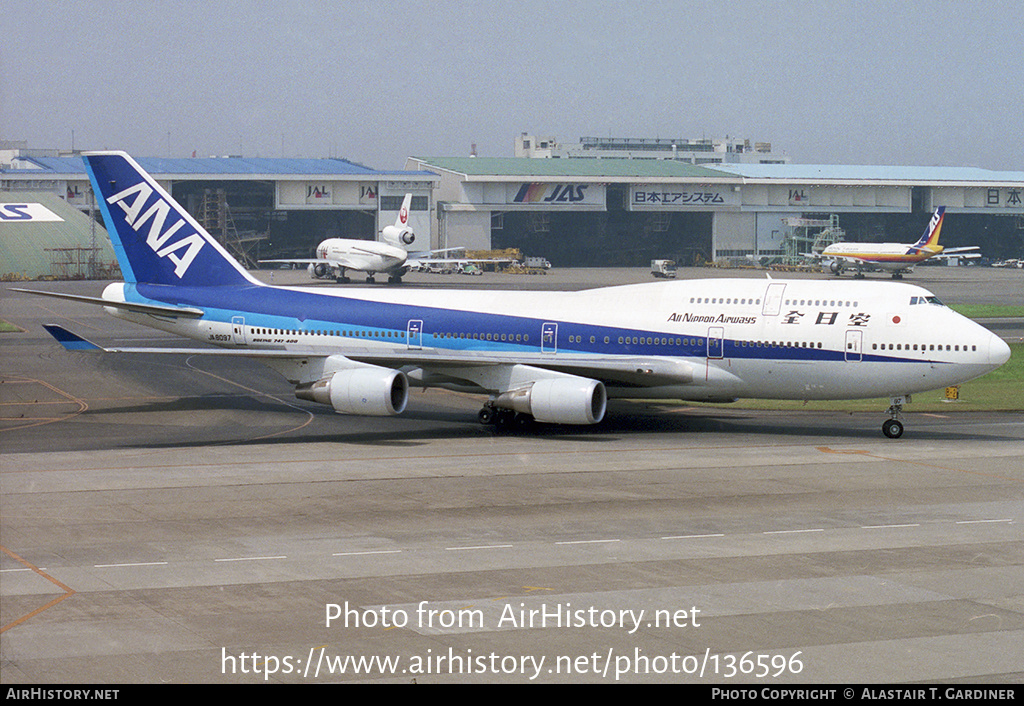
(702, 340)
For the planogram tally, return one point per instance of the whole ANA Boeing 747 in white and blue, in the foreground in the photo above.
(551, 357)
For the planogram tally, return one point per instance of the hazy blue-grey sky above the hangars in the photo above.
(878, 82)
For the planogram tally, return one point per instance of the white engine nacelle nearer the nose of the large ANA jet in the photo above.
(560, 401)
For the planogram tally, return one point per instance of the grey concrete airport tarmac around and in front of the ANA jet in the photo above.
(188, 520)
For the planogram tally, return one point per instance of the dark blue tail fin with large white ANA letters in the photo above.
(156, 240)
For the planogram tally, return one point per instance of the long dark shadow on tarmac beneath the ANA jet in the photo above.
(420, 426)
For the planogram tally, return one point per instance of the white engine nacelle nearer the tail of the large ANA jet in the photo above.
(368, 391)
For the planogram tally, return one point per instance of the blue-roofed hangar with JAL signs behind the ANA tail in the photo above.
(261, 209)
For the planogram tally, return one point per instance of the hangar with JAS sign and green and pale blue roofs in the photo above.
(625, 213)
